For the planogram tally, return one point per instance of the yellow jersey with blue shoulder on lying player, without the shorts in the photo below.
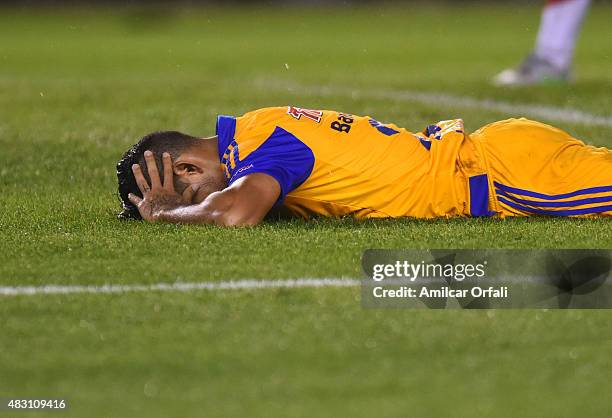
(335, 164)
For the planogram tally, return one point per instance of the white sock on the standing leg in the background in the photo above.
(559, 29)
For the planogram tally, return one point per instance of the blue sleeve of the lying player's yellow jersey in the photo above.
(282, 155)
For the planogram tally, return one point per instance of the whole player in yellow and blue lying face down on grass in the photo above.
(311, 162)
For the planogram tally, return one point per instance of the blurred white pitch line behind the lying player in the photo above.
(551, 113)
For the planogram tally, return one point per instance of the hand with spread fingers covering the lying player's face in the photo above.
(157, 196)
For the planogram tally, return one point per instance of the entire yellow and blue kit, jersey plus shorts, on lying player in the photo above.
(336, 164)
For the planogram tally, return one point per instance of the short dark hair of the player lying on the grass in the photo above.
(172, 142)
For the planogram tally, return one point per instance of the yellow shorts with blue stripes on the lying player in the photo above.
(536, 169)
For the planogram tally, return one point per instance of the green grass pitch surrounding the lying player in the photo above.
(78, 86)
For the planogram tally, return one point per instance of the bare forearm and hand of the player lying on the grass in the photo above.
(245, 202)
